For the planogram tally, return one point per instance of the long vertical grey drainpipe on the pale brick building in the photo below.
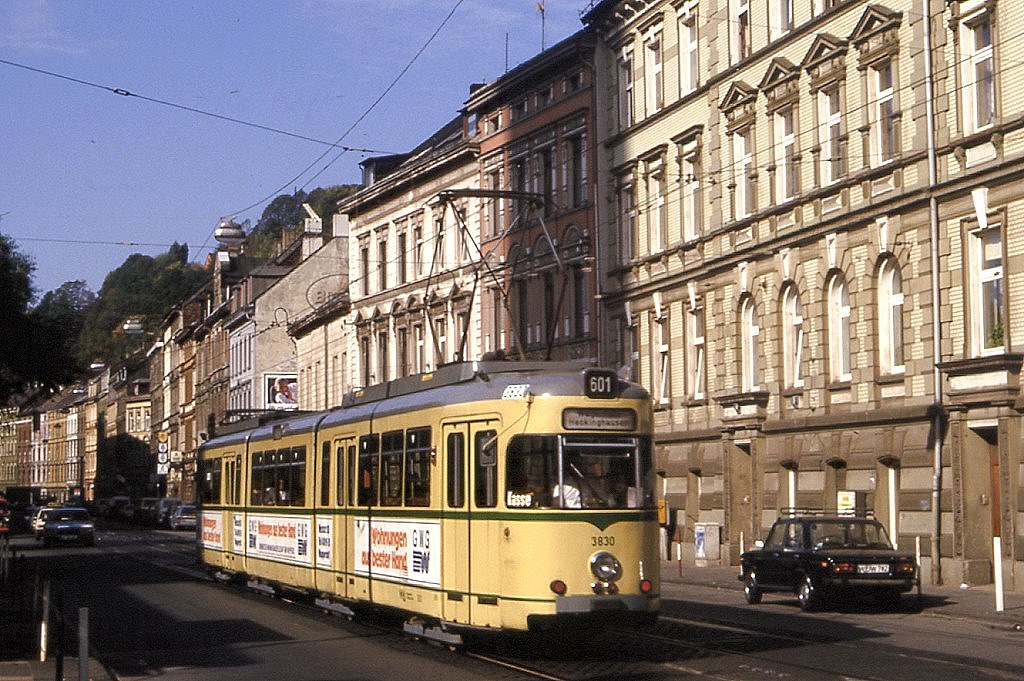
(933, 210)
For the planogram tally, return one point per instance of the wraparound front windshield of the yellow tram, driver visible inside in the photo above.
(579, 473)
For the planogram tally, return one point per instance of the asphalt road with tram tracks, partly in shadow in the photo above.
(154, 615)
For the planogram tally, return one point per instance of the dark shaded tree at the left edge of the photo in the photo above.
(16, 326)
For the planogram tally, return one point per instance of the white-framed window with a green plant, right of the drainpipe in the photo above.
(990, 329)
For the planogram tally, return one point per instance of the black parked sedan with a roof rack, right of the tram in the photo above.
(819, 558)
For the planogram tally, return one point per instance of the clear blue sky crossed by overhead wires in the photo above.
(84, 171)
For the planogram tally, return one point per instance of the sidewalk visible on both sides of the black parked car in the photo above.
(951, 602)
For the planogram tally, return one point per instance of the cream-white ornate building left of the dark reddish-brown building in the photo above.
(412, 256)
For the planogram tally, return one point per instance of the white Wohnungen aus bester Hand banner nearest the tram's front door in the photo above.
(408, 550)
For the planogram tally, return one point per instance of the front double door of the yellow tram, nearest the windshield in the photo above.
(470, 564)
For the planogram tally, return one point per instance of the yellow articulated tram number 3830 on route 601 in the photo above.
(510, 496)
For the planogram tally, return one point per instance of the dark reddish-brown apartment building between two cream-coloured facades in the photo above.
(538, 210)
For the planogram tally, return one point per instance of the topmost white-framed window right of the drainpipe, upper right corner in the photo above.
(978, 71)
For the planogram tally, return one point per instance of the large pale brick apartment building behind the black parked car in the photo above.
(816, 262)
